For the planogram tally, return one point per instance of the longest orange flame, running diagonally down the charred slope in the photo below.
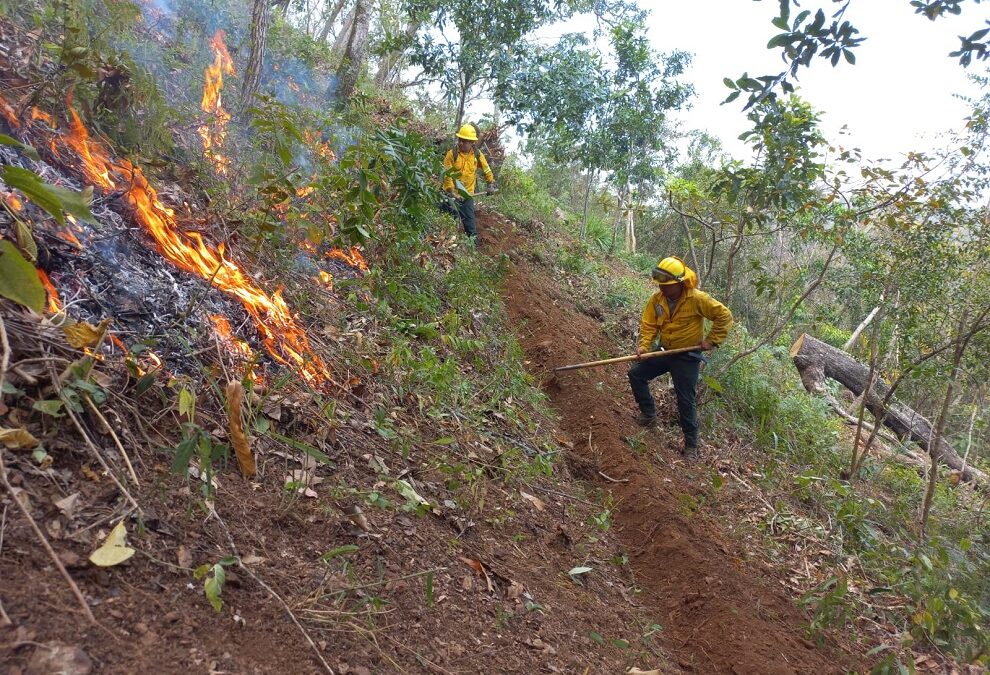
(282, 336)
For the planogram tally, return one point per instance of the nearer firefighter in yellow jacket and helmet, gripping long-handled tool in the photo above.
(676, 314)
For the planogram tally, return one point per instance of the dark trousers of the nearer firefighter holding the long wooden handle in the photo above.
(684, 370)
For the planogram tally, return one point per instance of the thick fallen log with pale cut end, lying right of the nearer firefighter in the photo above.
(817, 360)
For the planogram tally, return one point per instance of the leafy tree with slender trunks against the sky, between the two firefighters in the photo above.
(612, 118)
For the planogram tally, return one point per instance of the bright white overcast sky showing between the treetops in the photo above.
(898, 97)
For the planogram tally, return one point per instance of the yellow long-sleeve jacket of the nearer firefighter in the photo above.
(687, 326)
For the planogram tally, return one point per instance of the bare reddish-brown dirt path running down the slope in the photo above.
(719, 613)
